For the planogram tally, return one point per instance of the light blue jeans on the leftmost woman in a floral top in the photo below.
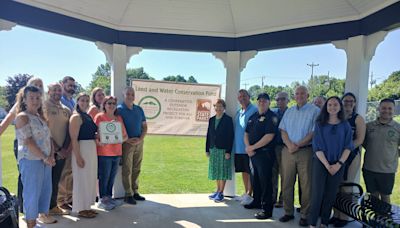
(36, 179)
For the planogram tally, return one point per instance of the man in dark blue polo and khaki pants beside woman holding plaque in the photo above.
(132, 149)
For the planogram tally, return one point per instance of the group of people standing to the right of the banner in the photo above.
(317, 143)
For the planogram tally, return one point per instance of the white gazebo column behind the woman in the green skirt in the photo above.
(234, 63)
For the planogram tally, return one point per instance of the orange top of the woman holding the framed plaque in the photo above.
(109, 149)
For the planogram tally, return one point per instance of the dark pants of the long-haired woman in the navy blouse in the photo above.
(324, 188)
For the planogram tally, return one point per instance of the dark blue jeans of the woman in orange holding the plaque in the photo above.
(108, 166)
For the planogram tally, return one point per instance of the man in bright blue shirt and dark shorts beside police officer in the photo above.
(242, 162)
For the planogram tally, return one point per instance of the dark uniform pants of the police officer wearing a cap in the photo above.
(262, 180)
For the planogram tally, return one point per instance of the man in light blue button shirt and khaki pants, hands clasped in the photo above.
(297, 126)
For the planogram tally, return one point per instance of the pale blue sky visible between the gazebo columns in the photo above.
(52, 56)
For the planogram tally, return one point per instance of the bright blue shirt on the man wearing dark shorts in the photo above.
(241, 119)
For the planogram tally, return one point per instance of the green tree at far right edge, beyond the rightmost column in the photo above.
(389, 88)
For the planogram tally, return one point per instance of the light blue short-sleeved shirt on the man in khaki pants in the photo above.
(299, 122)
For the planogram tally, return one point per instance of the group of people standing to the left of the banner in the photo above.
(63, 164)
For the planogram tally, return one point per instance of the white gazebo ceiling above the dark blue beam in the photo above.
(223, 18)
